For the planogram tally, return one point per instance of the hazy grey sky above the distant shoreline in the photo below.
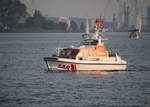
(77, 8)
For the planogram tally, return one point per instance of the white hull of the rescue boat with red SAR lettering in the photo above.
(83, 66)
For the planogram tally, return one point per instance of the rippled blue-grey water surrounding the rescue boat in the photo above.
(24, 81)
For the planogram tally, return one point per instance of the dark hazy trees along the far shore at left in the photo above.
(12, 11)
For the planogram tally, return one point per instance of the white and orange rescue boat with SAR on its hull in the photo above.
(90, 55)
